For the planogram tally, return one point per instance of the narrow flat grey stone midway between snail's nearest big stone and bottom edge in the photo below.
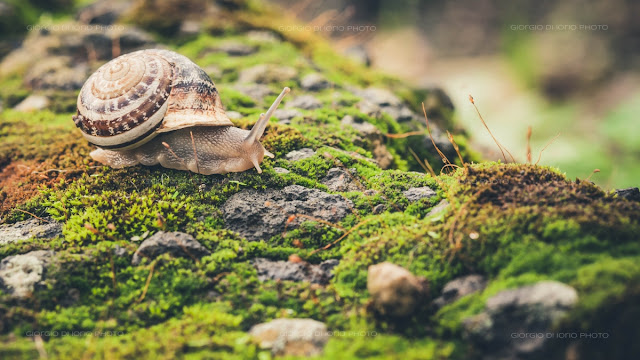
(294, 271)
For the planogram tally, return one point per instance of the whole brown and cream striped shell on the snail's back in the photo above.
(136, 96)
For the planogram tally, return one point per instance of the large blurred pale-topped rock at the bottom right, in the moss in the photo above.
(531, 309)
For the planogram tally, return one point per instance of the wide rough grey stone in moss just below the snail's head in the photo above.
(259, 215)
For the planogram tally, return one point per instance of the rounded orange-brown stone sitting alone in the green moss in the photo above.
(395, 292)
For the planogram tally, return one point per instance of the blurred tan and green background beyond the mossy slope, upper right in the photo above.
(568, 67)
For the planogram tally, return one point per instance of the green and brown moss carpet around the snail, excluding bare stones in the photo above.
(516, 224)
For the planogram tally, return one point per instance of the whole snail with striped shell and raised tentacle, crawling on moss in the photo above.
(157, 107)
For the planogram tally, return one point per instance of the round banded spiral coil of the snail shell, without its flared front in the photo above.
(129, 92)
